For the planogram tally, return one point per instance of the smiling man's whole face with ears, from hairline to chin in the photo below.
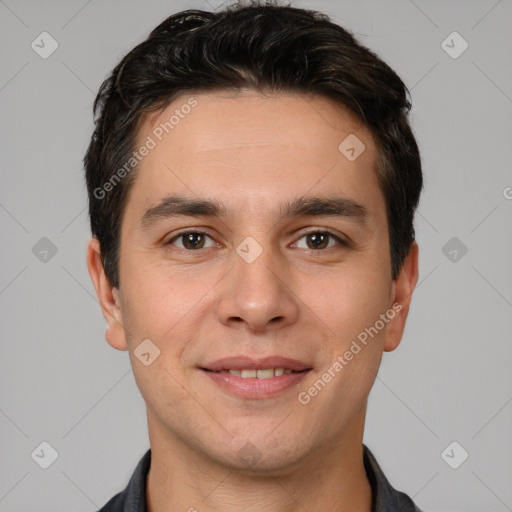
(251, 241)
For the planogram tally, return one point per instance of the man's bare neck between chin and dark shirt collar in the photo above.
(330, 479)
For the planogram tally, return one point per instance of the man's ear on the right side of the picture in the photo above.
(401, 295)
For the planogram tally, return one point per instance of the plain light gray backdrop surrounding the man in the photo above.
(450, 380)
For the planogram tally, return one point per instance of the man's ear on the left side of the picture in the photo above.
(108, 297)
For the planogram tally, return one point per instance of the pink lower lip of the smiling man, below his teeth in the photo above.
(253, 387)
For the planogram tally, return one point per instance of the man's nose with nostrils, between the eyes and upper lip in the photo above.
(258, 295)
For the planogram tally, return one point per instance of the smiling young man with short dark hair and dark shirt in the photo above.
(252, 181)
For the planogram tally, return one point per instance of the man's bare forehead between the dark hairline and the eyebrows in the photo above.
(247, 145)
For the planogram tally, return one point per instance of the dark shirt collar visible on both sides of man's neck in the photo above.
(384, 497)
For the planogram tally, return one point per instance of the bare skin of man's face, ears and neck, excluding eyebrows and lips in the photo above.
(254, 152)
